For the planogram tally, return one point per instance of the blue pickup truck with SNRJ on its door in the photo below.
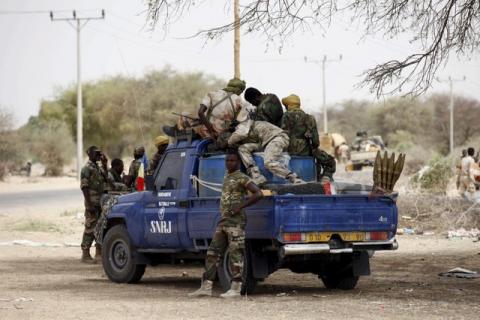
(331, 236)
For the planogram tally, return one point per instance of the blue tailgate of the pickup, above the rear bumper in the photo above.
(318, 217)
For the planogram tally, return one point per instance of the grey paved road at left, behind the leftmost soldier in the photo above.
(68, 198)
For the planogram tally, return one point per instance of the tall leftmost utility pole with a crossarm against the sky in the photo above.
(78, 23)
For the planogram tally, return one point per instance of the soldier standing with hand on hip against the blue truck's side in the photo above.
(230, 230)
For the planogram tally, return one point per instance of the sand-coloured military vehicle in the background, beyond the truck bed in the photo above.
(364, 150)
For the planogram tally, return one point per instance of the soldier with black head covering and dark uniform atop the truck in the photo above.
(268, 106)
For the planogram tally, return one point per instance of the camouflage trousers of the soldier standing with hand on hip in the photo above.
(225, 237)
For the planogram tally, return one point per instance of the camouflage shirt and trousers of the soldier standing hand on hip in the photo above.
(230, 231)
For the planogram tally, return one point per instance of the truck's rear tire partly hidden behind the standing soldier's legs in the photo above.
(225, 274)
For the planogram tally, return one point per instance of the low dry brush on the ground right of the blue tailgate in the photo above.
(437, 213)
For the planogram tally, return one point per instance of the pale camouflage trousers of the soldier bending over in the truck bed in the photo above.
(272, 155)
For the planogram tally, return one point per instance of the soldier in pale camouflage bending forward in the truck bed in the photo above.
(268, 137)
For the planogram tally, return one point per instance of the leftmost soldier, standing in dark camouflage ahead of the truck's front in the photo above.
(92, 185)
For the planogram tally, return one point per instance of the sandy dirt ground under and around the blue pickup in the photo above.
(44, 280)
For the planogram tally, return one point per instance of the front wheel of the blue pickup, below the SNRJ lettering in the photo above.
(118, 257)
